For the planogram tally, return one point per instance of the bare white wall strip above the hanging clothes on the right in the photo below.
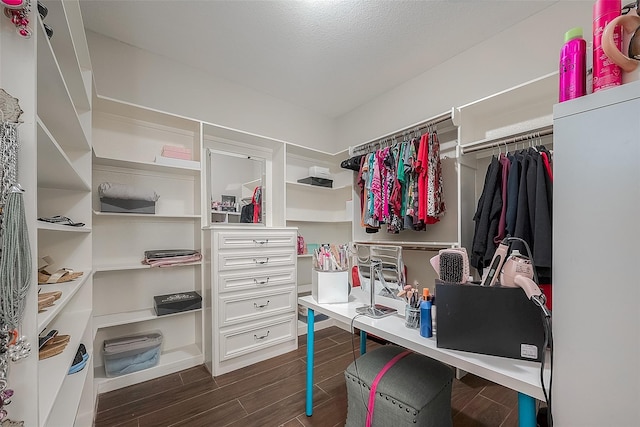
(524, 52)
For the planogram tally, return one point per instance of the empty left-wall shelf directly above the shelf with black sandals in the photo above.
(55, 169)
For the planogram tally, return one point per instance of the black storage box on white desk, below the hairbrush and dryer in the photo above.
(489, 320)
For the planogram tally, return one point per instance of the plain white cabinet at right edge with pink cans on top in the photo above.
(595, 230)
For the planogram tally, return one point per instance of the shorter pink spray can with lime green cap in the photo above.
(573, 66)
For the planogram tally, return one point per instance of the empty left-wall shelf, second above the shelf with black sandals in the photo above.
(61, 116)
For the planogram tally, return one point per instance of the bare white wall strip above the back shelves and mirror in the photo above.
(131, 74)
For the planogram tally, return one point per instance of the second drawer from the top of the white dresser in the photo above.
(234, 260)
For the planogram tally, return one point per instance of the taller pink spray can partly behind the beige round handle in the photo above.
(606, 74)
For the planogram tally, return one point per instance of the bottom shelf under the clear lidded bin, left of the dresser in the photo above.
(170, 361)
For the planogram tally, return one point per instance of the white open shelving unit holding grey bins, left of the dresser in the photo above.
(127, 141)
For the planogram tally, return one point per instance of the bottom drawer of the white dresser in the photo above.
(235, 342)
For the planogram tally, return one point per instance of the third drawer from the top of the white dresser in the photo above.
(256, 279)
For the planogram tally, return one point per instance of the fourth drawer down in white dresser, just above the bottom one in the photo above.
(241, 307)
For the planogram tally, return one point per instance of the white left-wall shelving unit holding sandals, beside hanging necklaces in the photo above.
(53, 81)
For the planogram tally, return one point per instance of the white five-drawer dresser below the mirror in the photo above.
(254, 295)
